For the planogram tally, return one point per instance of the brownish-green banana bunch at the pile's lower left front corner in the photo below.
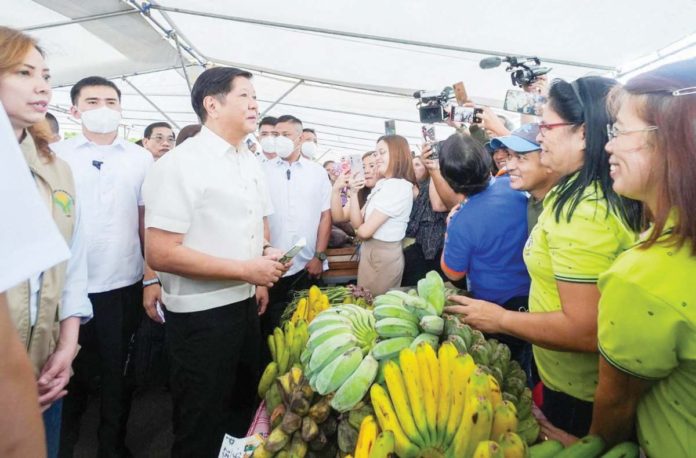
(302, 424)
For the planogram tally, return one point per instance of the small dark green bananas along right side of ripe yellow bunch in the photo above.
(494, 358)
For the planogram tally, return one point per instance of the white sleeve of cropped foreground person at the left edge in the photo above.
(29, 239)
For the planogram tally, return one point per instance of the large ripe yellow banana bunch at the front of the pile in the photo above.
(444, 405)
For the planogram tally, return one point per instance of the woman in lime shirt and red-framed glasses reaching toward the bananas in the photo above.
(584, 226)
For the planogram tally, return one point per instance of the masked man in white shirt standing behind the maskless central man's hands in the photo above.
(301, 197)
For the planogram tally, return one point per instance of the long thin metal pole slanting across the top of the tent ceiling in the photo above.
(364, 36)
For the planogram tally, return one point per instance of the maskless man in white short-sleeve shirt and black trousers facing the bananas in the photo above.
(206, 202)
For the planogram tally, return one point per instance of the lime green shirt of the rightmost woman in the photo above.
(647, 328)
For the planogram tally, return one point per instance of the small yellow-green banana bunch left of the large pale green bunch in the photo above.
(286, 345)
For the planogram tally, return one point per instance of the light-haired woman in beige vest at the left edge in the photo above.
(46, 309)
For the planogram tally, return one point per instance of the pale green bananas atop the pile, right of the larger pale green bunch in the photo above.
(407, 319)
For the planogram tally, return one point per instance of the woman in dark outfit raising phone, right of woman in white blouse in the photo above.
(426, 226)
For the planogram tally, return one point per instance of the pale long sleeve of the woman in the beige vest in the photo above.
(74, 299)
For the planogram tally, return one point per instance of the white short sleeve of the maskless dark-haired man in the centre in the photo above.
(169, 202)
